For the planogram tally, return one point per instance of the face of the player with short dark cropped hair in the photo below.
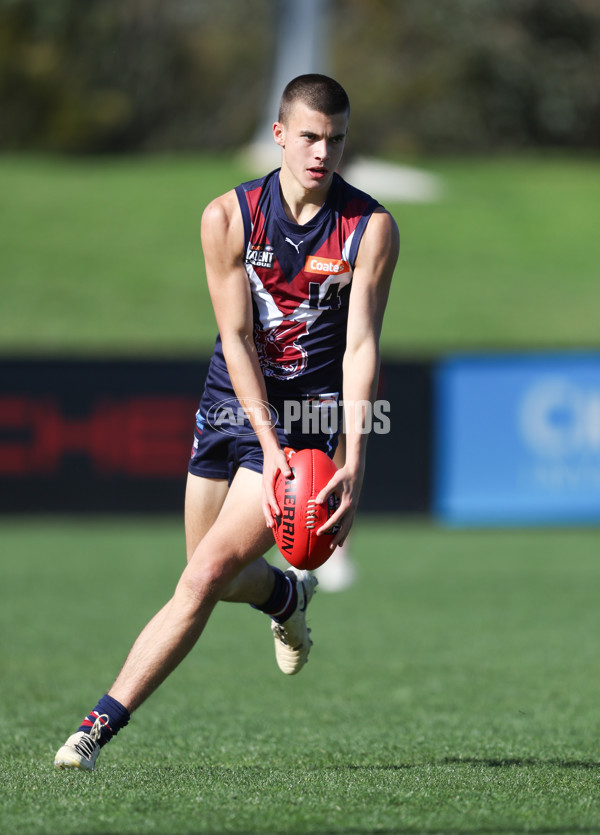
(312, 145)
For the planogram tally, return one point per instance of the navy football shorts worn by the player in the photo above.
(224, 439)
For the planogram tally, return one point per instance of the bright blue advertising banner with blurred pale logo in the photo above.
(518, 439)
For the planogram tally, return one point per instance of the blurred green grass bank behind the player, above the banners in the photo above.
(103, 256)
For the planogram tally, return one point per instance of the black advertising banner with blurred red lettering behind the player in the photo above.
(115, 436)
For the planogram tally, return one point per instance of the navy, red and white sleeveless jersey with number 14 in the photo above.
(300, 278)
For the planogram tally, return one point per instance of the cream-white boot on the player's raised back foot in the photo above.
(292, 637)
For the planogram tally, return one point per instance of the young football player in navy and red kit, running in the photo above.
(299, 265)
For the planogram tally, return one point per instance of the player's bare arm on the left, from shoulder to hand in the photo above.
(222, 236)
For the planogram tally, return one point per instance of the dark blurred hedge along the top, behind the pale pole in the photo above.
(441, 76)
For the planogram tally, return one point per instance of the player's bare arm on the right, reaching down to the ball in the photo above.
(373, 271)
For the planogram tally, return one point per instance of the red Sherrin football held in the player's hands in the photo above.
(296, 529)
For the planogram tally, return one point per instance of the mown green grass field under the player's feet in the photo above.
(454, 689)
